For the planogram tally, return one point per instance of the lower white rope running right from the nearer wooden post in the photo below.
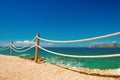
(76, 56)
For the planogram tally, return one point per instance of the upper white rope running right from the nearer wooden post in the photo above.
(82, 40)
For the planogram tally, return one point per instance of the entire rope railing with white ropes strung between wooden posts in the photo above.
(25, 48)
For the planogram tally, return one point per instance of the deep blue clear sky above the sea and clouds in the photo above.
(58, 19)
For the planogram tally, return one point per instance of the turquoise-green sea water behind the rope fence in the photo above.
(99, 63)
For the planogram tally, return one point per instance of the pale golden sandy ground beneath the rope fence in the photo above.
(15, 68)
